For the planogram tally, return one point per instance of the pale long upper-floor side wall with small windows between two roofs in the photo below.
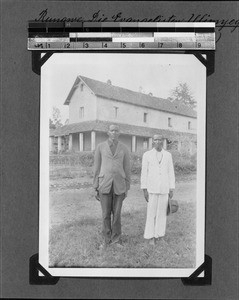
(134, 115)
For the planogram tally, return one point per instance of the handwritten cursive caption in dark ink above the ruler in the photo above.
(98, 16)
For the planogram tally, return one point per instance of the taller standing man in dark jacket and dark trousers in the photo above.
(112, 182)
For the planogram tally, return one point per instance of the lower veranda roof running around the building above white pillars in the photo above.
(102, 126)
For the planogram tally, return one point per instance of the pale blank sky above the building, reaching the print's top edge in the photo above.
(155, 73)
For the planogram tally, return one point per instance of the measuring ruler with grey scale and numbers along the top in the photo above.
(120, 36)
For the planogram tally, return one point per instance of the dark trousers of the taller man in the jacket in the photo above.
(111, 204)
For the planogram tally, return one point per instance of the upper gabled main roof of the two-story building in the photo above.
(109, 91)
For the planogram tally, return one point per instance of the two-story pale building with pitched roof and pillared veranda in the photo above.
(94, 105)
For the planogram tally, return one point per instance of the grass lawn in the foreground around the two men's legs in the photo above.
(75, 230)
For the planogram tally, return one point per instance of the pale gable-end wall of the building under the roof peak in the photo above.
(84, 99)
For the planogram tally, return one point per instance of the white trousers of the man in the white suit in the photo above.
(156, 216)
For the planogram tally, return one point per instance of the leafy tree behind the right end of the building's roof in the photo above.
(183, 95)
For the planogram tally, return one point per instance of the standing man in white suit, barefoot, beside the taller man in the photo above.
(158, 184)
